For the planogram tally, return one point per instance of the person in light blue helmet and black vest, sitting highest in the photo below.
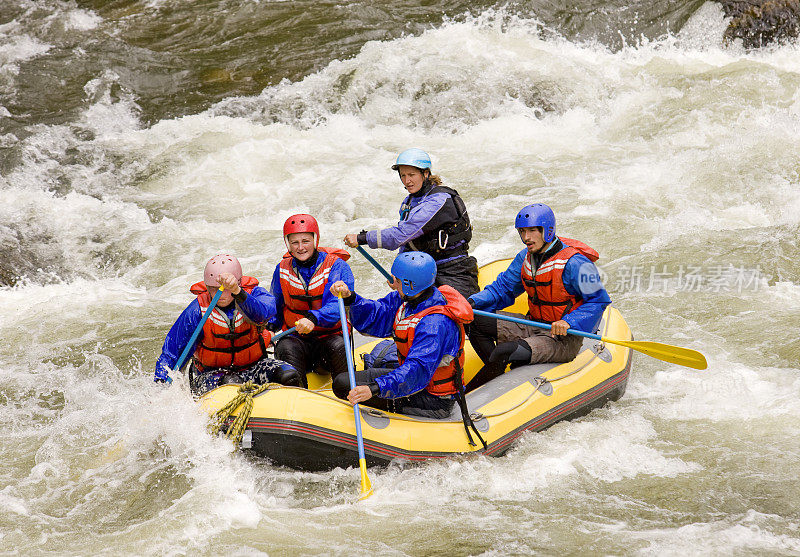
(433, 219)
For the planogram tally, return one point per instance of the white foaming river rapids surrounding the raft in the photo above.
(649, 148)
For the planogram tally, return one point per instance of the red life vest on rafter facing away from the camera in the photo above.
(449, 376)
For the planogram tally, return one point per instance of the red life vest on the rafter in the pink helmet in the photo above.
(235, 345)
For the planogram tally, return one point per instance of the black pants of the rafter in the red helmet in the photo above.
(306, 353)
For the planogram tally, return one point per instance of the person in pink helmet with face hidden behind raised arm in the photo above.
(232, 345)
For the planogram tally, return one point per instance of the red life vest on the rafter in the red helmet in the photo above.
(299, 298)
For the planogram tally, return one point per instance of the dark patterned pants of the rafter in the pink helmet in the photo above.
(265, 370)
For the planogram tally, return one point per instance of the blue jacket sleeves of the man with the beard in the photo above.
(508, 285)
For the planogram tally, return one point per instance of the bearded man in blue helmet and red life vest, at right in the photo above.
(564, 289)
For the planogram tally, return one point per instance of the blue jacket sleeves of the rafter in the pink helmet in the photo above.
(259, 307)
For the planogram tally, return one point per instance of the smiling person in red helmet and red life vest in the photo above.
(300, 286)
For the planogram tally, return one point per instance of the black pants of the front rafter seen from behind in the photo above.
(421, 403)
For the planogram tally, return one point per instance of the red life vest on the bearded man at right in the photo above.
(548, 300)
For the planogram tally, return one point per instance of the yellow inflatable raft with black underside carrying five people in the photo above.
(313, 430)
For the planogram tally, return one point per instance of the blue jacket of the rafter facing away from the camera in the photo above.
(434, 336)
